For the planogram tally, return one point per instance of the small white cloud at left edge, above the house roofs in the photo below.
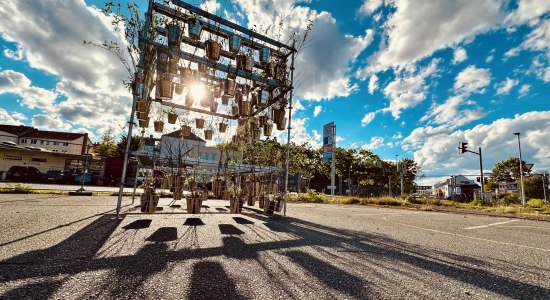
(32, 97)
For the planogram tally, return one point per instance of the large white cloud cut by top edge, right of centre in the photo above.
(420, 27)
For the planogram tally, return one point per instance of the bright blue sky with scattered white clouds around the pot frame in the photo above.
(399, 77)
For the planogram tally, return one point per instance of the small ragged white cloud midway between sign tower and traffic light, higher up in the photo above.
(408, 89)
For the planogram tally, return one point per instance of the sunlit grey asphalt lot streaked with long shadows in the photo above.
(71, 248)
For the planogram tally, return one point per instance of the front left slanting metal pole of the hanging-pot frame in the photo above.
(134, 99)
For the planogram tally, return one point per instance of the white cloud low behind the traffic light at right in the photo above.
(436, 147)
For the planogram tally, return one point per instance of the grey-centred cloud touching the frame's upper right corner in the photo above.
(322, 68)
